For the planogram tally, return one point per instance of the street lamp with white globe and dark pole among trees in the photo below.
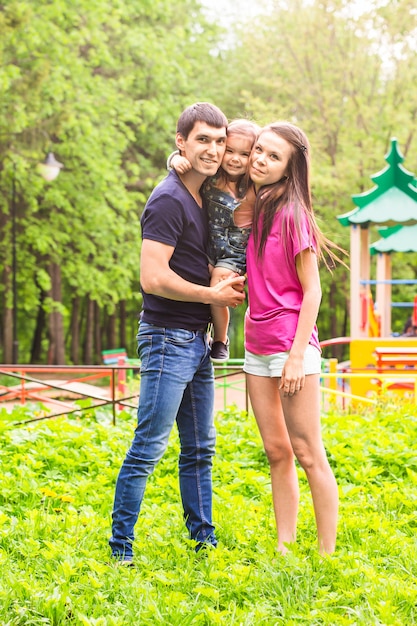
(49, 170)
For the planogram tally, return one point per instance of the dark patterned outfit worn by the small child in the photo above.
(227, 242)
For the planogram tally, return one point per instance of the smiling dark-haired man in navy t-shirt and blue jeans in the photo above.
(176, 374)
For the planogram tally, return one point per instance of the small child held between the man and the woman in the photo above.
(229, 200)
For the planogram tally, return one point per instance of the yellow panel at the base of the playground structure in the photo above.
(363, 359)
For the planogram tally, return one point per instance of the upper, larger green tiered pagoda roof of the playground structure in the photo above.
(393, 200)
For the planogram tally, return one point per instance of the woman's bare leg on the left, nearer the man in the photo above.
(266, 404)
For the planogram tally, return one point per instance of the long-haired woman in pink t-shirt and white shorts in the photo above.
(282, 353)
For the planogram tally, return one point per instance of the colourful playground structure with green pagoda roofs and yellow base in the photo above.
(391, 206)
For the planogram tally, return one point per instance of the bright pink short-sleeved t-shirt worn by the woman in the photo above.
(275, 293)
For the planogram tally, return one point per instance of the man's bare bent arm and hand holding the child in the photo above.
(158, 279)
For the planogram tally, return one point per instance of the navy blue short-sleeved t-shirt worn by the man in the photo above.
(173, 217)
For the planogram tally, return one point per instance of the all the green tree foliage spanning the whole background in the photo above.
(101, 83)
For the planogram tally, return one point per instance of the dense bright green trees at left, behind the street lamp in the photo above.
(103, 83)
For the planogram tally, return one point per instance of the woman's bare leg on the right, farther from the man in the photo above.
(302, 416)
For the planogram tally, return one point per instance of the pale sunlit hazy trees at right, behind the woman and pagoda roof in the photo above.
(322, 66)
